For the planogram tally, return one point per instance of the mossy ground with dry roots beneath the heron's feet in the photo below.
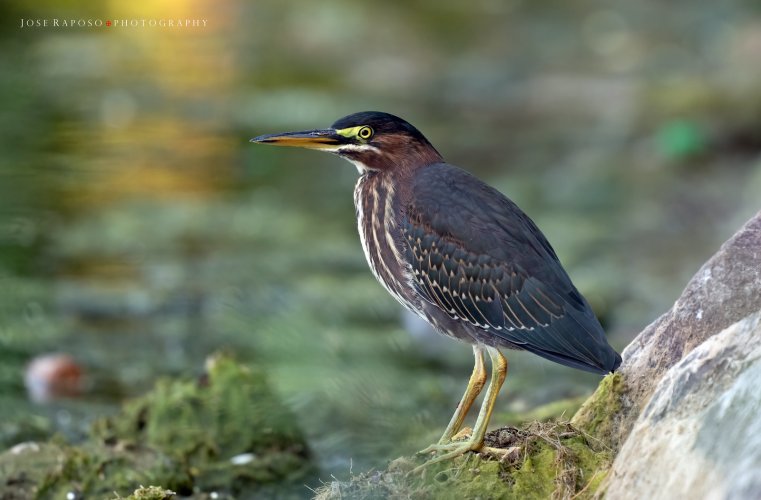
(548, 460)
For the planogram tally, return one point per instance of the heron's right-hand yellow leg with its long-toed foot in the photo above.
(476, 441)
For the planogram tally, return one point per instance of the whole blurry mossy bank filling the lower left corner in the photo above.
(226, 433)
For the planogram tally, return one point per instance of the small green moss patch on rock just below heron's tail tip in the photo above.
(597, 415)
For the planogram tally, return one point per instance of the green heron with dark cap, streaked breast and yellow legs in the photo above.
(462, 256)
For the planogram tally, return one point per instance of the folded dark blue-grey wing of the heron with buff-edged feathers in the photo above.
(482, 261)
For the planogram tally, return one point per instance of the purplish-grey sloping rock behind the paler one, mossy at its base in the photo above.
(724, 291)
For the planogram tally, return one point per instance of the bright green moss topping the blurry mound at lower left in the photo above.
(233, 411)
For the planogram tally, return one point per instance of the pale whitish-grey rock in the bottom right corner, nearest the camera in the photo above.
(700, 434)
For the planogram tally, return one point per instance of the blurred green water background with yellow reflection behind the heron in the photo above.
(141, 231)
